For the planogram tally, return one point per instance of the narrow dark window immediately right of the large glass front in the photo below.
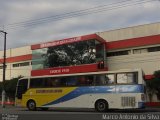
(118, 53)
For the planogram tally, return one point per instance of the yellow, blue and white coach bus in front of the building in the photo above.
(121, 89)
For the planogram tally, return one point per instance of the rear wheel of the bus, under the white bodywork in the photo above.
(101, 105)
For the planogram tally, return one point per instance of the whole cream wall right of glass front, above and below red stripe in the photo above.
(147, 61)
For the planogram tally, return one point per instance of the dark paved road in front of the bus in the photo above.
(76, 114)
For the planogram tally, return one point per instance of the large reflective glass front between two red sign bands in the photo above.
(78, 53)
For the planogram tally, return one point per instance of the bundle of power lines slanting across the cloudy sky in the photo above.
(78, 13)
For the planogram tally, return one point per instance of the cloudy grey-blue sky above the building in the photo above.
(30, 22)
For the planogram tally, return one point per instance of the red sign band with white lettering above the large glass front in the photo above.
(67, 41)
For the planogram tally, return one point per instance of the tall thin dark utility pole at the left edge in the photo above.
(4, 71)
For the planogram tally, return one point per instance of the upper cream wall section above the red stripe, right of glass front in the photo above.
(131, 32)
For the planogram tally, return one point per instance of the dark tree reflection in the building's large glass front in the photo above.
(70, 54)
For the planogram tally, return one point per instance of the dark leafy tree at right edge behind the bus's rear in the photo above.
(153, 86)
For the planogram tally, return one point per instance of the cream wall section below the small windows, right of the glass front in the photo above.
(149, 62)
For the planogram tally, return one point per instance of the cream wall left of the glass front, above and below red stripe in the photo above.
(12, 72)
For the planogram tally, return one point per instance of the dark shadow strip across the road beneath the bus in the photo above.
(67, 110)
